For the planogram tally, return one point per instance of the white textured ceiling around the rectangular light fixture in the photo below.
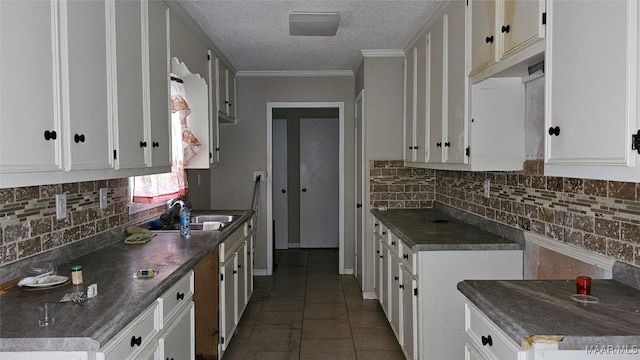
(254, 35)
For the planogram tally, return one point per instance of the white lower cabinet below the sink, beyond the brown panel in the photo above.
(236, 281)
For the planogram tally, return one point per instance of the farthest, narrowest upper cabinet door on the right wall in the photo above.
(410, 108)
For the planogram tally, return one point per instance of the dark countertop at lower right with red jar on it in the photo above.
(539, 310)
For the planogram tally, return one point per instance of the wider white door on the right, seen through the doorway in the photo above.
(319, 197)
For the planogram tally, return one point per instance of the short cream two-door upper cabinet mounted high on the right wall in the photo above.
(504, 34)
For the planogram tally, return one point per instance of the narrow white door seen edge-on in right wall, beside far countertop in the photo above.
(358, 232)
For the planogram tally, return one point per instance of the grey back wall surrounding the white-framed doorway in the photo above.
(243, 147)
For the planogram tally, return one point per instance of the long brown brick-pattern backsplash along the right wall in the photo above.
(600, 216)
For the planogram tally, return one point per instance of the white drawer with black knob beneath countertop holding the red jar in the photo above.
(486, 337)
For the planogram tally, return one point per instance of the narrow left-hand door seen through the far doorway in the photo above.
(280, 208)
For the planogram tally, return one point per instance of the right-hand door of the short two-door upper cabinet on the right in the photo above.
(520, 25)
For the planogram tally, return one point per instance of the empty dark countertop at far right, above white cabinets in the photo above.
(432, 230)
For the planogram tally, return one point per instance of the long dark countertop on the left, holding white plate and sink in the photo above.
(120, 296)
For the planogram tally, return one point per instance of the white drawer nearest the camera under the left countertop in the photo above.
(135, 337)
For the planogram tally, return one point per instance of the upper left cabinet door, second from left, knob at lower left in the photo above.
(86, 72)
